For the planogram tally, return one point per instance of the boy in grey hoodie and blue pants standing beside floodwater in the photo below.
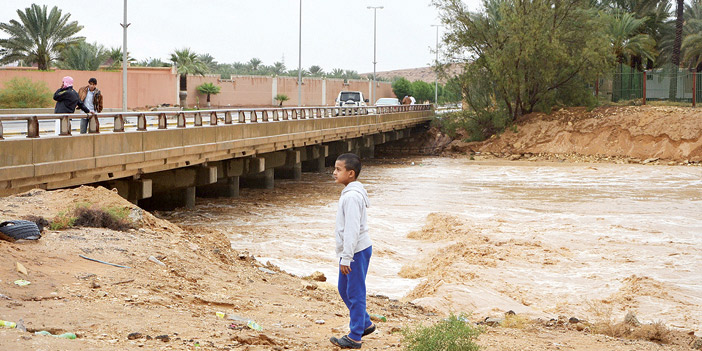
(353, 247)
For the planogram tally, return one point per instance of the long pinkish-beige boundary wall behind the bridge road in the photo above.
(154, 86)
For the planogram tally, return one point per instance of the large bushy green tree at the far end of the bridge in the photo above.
(522, 56)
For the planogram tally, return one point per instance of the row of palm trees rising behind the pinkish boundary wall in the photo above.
(48, 38)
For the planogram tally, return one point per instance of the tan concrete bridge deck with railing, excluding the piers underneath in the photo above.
(62, 161)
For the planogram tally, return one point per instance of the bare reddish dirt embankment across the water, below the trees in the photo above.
(626, 134)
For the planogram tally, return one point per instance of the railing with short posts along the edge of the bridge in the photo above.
(199, 118)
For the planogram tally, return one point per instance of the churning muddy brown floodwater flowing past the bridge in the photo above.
(543, 239)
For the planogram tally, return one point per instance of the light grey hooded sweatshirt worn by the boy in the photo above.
(352, 223)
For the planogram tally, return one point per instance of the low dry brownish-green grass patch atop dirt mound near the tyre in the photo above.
(86, 215)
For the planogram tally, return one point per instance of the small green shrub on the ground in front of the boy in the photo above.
(452, 334)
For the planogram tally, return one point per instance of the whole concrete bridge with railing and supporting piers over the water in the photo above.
(195, 153)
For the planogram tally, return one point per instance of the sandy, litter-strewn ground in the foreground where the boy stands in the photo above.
(201, 275)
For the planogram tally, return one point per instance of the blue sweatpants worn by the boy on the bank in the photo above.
(352, 288)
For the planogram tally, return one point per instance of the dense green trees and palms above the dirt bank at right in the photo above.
(521, 56)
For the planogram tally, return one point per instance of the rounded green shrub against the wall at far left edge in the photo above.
(22, 92)
